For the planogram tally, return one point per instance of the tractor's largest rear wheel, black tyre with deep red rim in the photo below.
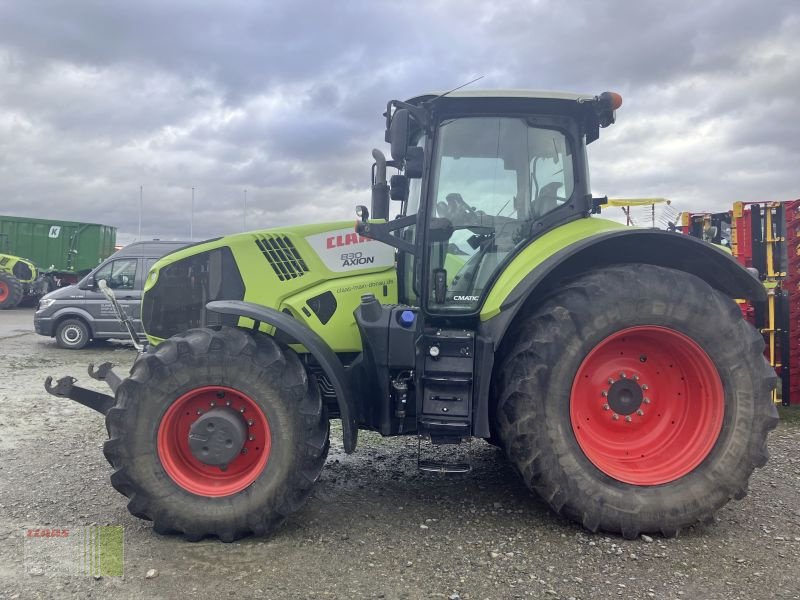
(635, 400)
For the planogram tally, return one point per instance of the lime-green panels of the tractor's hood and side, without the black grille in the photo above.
(321, 247)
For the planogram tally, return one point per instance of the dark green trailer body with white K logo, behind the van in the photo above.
(59, 246)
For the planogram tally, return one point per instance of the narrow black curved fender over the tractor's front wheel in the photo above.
(300, 333)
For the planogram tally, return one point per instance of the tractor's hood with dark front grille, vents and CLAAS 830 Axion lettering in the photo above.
(266, 267)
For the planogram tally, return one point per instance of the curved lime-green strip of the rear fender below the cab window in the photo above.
(539, 250)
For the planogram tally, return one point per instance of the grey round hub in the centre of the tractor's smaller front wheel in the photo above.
(217, 437)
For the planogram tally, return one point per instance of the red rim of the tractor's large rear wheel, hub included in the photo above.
(663, 431)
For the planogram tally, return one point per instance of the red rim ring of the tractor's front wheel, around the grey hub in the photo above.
(195, 476)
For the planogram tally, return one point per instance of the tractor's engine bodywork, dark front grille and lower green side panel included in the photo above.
(317, 273)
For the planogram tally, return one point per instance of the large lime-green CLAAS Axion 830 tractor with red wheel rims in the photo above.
(610, 364)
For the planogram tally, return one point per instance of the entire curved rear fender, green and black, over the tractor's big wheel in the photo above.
(614, 245)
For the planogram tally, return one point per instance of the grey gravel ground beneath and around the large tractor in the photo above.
(375, 527)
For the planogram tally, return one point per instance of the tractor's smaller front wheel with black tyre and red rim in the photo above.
(217, 432)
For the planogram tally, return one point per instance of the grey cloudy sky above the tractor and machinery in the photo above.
(284, 99)
